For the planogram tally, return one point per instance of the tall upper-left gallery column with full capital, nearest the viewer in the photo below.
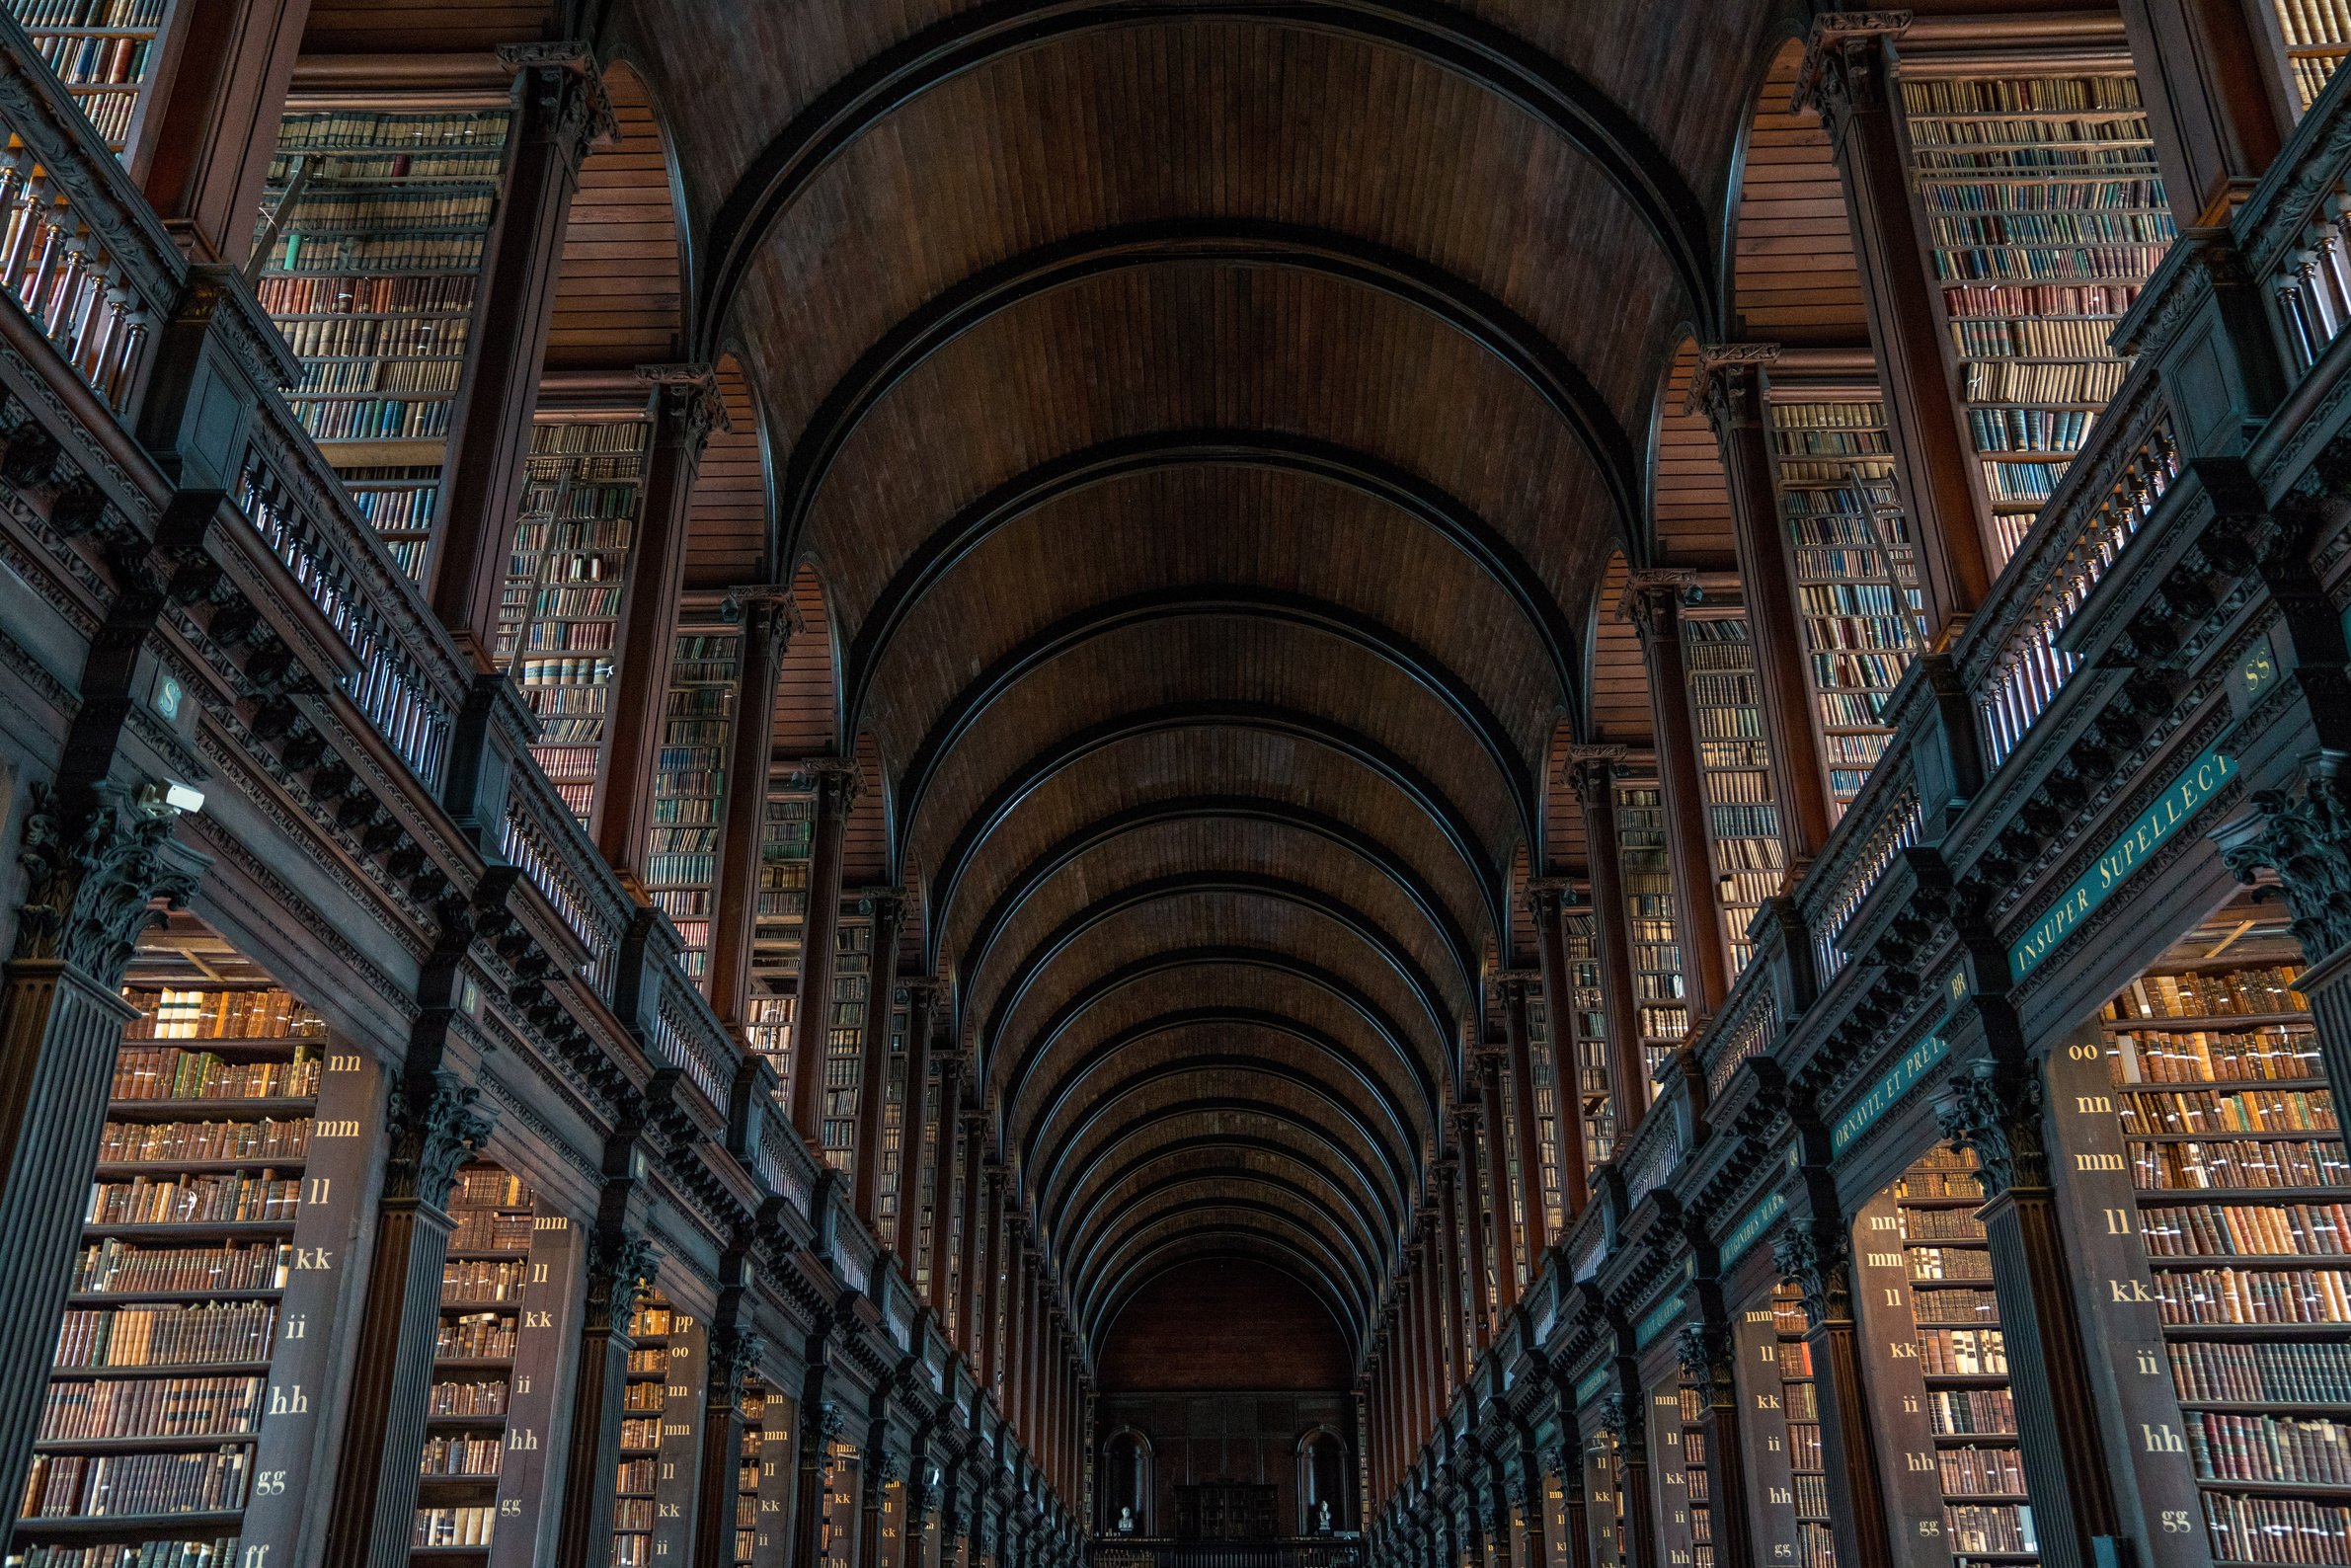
(561, 112)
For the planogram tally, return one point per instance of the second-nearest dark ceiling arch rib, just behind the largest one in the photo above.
(1405, 279)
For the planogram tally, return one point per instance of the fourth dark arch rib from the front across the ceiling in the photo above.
(1391, 648)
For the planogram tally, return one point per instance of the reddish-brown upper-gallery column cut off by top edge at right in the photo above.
(2216, 102)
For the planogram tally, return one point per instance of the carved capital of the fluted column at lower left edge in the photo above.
(93, 878)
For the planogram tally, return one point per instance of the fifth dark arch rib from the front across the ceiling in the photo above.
(1346, 742)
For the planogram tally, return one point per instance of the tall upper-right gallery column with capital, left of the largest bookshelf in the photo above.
(1849, 81)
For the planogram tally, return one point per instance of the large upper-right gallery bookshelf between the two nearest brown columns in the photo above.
(2044, 217)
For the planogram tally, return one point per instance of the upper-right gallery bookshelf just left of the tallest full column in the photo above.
(1856, 572)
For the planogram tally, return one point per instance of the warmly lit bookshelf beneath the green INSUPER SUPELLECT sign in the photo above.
(2244, 1205)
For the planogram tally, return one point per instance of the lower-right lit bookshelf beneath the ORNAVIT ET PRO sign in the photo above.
(1964, 1362)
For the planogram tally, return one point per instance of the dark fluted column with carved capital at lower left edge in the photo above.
(93, 866)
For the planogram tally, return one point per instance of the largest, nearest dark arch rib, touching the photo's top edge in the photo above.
(1438, 34)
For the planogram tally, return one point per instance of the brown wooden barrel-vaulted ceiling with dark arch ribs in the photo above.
(1205, 431)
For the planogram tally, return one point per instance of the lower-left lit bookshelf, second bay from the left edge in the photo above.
(474, 1365)
